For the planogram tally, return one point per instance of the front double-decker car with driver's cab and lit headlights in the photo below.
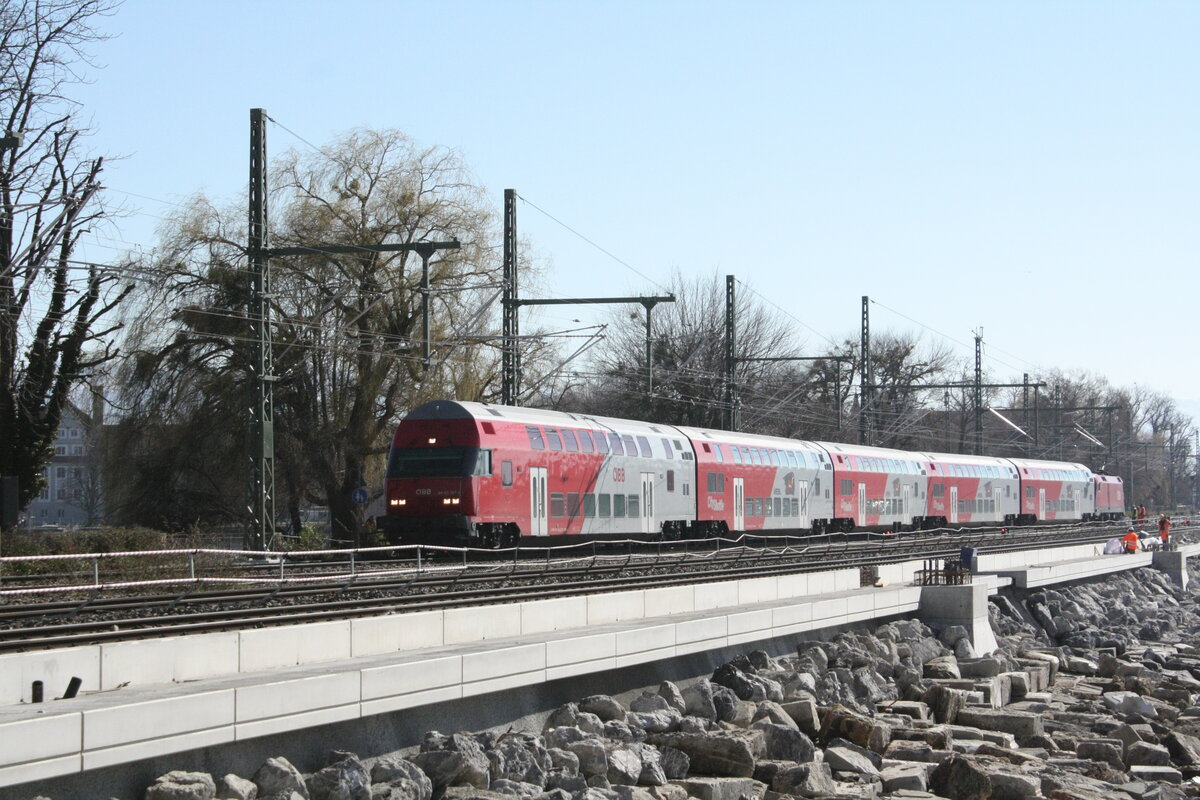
(489, 474)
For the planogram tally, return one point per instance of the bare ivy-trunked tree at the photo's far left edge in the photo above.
(52, 306)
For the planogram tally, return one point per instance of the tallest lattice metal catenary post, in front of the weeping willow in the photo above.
(262, 416)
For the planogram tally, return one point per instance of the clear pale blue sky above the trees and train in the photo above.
(1033, 169)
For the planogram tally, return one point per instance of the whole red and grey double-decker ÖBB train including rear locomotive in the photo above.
(479, 474)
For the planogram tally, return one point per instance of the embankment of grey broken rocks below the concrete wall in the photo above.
(1091, 696)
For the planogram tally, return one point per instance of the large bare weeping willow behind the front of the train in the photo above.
(347, 329)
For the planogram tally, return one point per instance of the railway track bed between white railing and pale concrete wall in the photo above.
(97, 618)
